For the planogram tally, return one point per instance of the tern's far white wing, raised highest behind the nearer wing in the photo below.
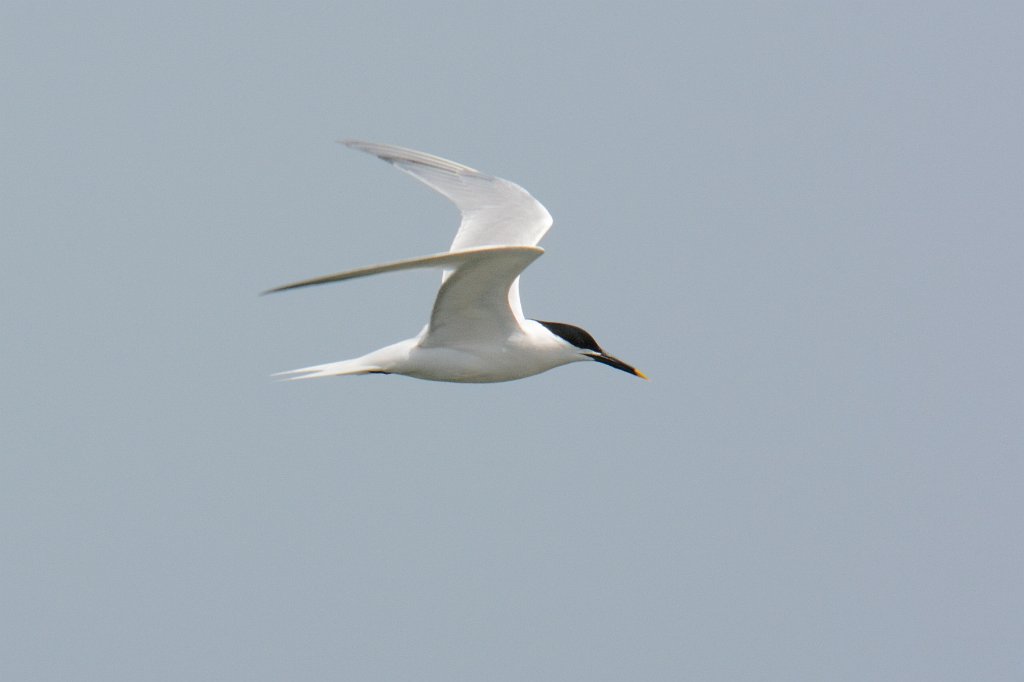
(495, 212)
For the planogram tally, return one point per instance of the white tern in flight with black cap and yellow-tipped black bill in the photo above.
(478, 332)
